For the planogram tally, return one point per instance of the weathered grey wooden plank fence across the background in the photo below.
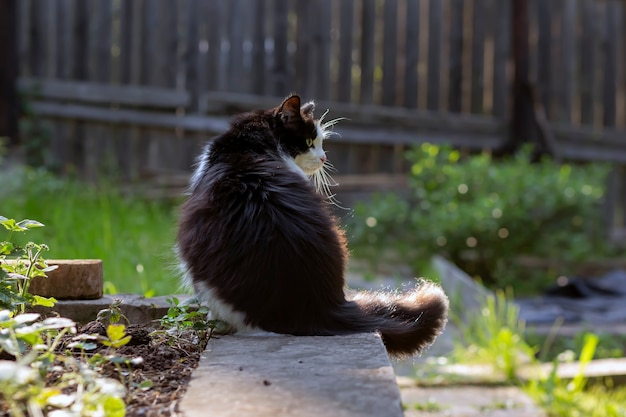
(134, 87)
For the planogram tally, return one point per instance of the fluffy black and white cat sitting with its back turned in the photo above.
(261, 248)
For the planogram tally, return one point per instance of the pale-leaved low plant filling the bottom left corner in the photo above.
(78, 392)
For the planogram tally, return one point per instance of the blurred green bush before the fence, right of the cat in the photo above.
(483, 214)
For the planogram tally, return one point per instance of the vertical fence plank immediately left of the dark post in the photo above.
(501, 57)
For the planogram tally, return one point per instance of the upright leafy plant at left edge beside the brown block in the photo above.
(18, 266)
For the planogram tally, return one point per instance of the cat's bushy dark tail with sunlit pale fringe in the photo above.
(408, 322)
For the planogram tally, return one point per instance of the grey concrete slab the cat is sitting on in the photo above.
(279, 375)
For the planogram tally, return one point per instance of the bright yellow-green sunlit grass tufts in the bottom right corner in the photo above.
(497, 337)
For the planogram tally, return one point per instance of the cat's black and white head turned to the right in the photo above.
(300, 134)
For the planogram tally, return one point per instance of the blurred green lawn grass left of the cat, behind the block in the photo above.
(133, 237)
